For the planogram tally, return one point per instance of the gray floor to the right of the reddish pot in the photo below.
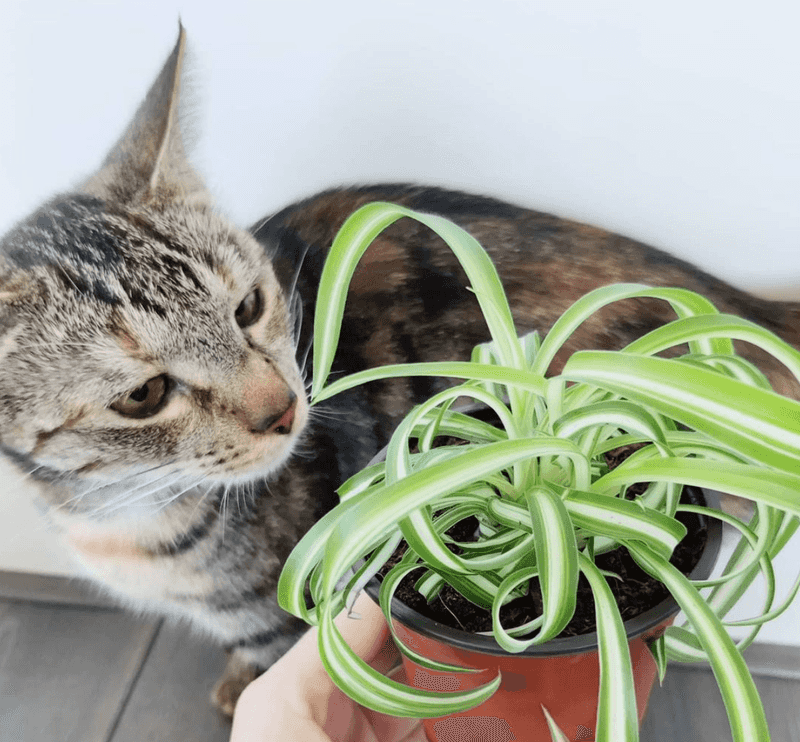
(689, 708)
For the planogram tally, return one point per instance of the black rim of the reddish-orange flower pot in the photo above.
(582, 643)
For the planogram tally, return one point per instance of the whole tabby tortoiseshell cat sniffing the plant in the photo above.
(153, 364)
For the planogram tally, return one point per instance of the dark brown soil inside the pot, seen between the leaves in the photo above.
(636, 592)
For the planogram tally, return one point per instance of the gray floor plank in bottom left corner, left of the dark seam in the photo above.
(65, 672)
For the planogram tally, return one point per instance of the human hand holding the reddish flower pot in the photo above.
(296, 701)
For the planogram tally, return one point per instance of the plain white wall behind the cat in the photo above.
(676, 123)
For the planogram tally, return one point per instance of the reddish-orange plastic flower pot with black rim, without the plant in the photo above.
(563, 675)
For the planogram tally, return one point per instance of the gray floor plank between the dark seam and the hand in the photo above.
(171, 699)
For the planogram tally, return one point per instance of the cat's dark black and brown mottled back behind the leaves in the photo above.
(409, 298)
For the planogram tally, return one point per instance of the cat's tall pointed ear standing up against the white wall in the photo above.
(149, 164)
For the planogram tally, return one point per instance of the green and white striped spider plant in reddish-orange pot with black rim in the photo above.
(545, 504)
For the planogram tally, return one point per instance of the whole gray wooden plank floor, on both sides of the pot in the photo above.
(72, 673)
